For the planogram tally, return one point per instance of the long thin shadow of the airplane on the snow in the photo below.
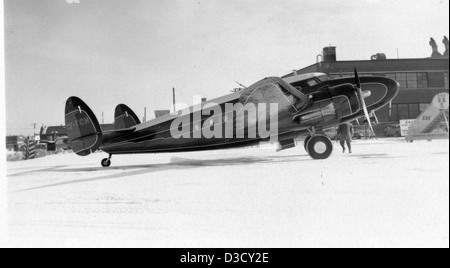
(176, 163)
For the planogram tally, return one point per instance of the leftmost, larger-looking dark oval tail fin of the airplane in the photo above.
(83, 129)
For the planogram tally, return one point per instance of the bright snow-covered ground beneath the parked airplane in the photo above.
(388, 193)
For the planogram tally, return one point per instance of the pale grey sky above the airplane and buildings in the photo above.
(126, 51)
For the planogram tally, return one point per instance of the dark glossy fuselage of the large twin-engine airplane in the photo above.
(332, 102)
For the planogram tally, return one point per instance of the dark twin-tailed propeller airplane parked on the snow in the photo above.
(306, 105)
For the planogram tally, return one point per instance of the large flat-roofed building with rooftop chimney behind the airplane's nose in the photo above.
(420, 79)
